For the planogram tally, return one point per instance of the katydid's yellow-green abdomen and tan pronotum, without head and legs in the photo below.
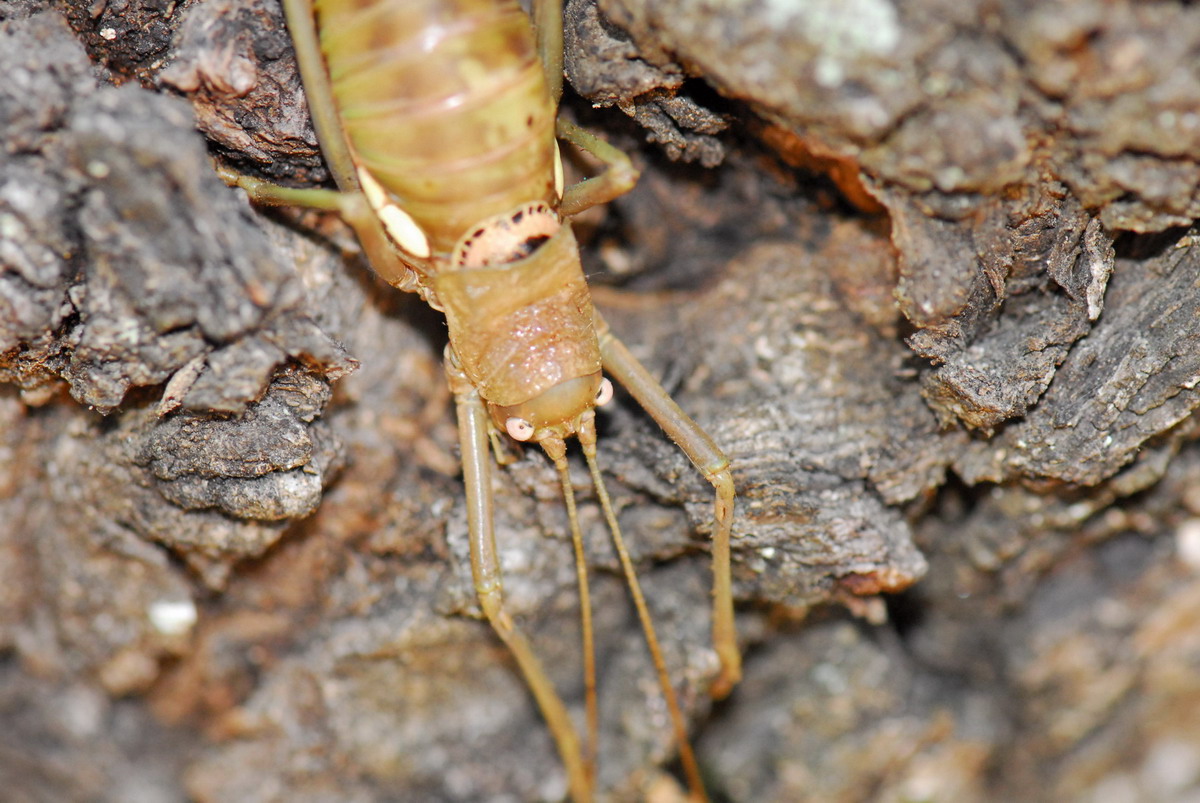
(445, 104)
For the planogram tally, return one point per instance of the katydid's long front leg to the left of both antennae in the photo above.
(485, 568)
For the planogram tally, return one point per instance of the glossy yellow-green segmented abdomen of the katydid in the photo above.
(446, 104)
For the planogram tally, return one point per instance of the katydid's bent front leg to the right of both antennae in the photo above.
(715, 466)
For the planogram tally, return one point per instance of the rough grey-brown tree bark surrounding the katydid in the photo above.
(923, 272)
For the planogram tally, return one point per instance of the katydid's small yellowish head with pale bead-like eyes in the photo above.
(557, 412)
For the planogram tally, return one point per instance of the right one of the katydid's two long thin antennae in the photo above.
(687, 758)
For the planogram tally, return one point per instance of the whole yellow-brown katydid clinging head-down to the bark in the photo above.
(437, 119)
